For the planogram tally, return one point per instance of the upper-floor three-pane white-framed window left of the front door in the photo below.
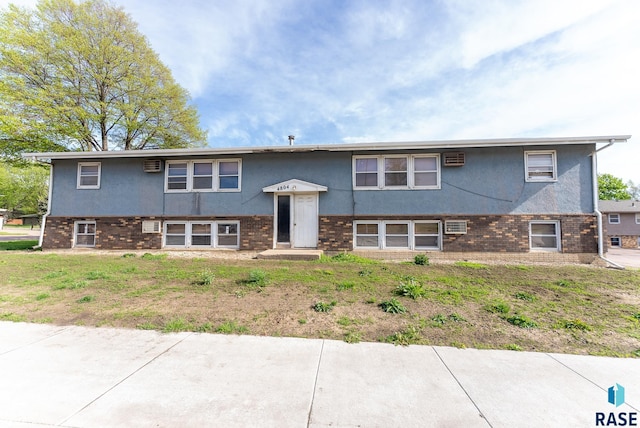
(203, 175)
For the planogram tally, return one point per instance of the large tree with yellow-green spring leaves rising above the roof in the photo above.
(80, 76)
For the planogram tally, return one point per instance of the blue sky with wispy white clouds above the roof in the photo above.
(347, 71)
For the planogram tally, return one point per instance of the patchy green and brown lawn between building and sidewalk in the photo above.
(570, 309)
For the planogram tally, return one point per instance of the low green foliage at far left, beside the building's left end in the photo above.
(24, 189)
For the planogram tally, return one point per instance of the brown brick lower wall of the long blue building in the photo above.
(496, 233)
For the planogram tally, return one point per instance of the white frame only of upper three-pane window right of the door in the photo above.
(381, 171)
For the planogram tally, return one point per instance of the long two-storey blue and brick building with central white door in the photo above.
(499, 195)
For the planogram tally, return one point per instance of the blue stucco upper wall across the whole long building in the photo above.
(492, 181)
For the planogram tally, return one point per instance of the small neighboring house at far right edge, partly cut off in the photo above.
(621, 223)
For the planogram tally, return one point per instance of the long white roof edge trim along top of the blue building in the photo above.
(356, 147)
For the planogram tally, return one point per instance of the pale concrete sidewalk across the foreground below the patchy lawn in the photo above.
(101, 377)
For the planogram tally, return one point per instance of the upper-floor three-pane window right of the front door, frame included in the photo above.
(396, 172)
